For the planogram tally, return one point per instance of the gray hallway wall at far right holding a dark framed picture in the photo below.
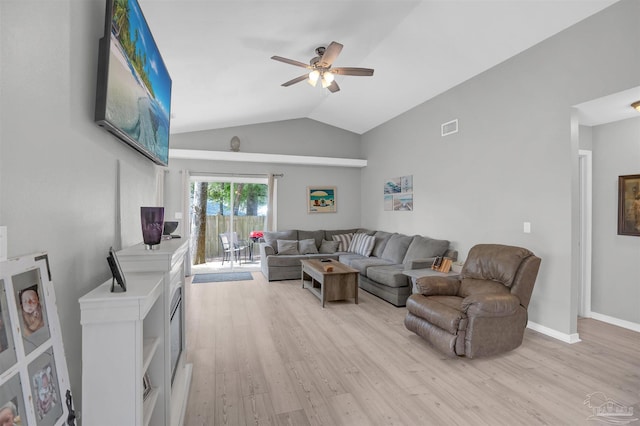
(614, 290)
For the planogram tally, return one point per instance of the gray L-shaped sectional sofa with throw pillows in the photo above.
(380, 272)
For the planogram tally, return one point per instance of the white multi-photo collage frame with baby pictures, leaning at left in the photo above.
(33, 371)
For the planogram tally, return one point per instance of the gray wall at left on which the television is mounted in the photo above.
(58, 170)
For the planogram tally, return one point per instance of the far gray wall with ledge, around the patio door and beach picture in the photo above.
(293, 137)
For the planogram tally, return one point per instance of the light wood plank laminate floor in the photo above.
(268, 354)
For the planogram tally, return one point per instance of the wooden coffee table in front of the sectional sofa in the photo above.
(339, 284)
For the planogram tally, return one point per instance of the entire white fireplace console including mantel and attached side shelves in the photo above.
(156, 332)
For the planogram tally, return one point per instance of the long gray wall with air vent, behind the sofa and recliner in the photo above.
(513, 159)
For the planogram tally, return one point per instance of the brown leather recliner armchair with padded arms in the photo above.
(482, 312)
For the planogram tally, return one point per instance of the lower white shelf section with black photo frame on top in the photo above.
(122, 337)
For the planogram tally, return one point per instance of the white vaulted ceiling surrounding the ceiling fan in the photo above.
(218, 53)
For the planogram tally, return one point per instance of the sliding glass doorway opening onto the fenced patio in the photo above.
(228, 214)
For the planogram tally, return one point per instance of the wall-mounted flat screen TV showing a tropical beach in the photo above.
(133, 99)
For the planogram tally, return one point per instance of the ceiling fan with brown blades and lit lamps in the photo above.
(320, 68)
